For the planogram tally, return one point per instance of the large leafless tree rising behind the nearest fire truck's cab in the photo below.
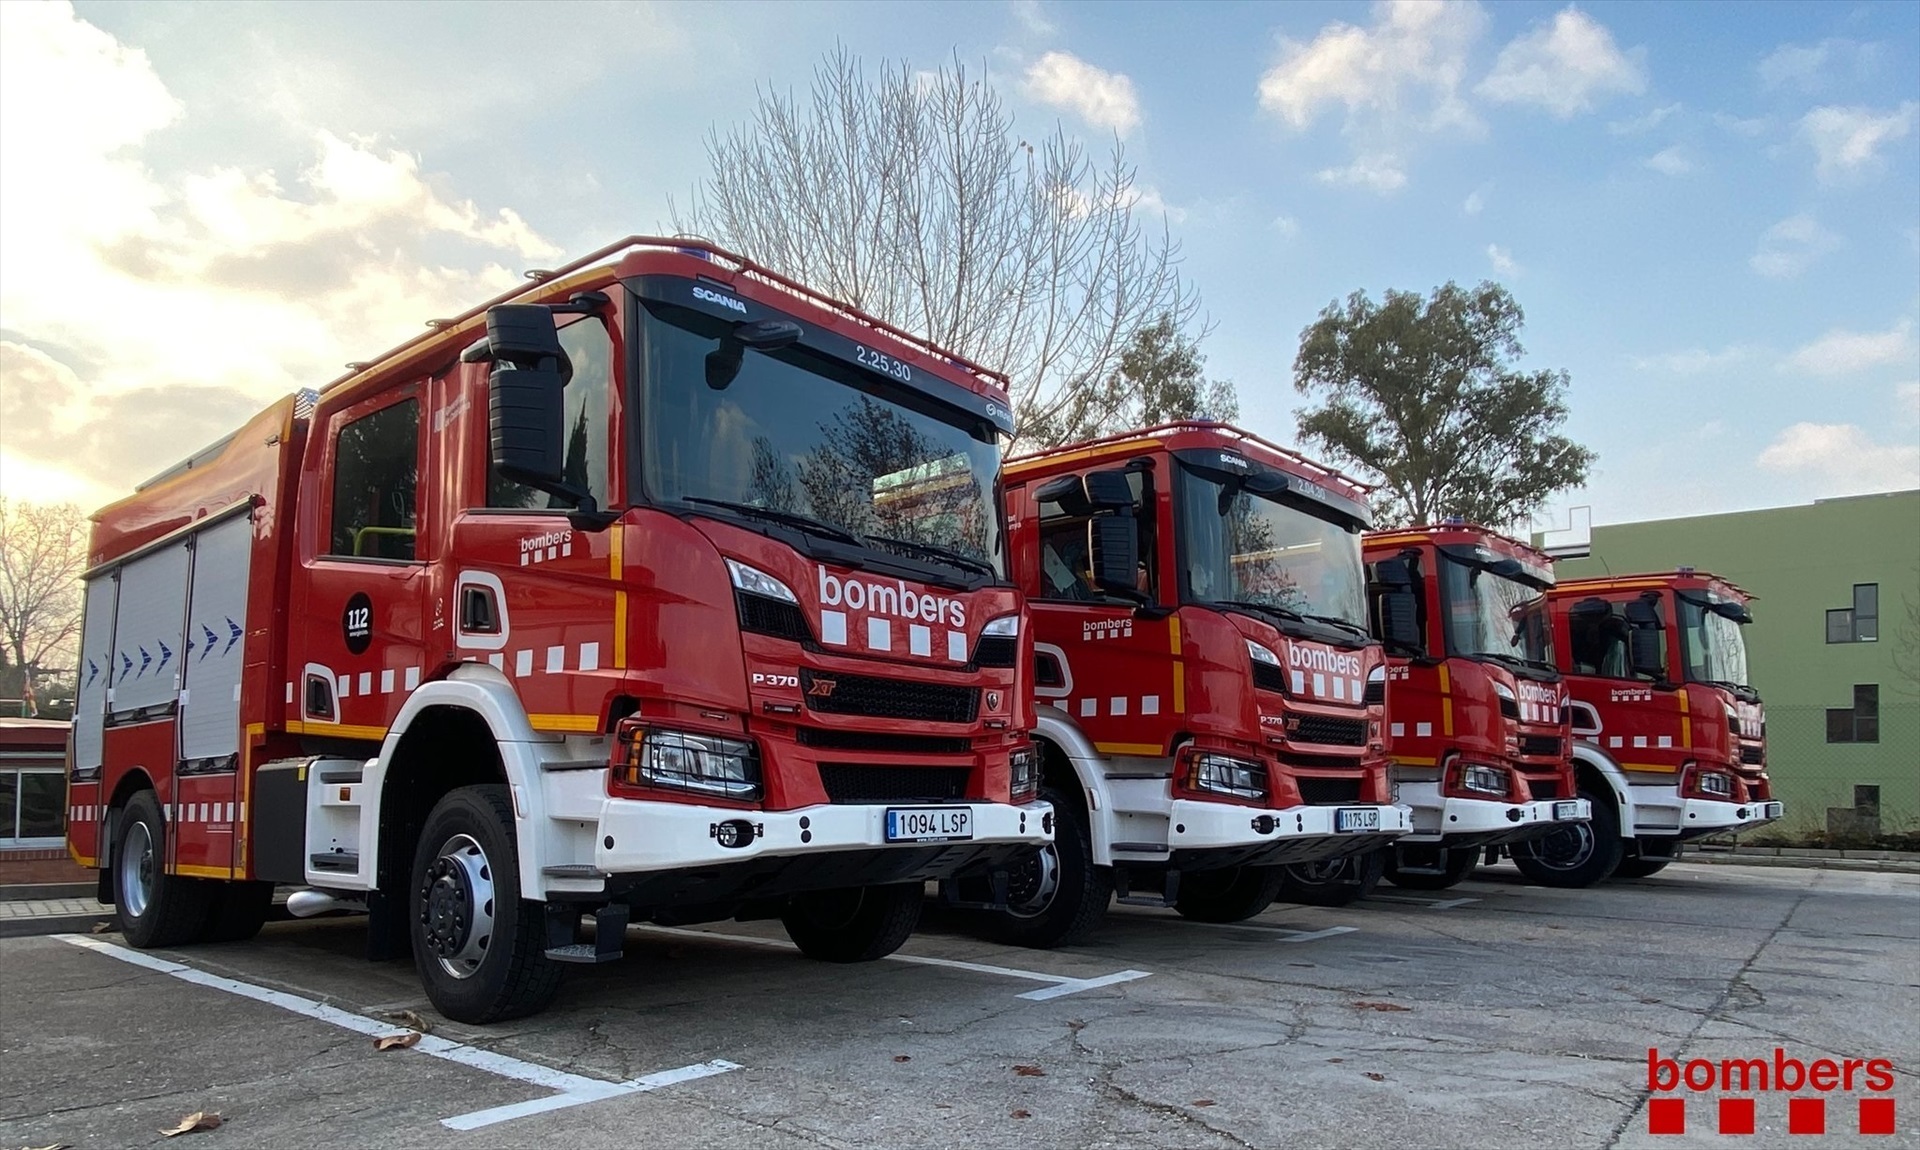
(911, 197)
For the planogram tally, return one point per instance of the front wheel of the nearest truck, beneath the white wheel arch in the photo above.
(479, 947)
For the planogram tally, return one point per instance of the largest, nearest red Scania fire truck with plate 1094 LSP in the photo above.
(658, 590)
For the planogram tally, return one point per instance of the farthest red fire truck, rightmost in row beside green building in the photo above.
(1669, 736)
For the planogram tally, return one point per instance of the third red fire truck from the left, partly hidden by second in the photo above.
(1477, 717)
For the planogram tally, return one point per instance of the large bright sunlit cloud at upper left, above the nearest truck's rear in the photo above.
(206, 295)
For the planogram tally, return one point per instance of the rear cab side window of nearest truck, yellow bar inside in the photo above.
(377, 467)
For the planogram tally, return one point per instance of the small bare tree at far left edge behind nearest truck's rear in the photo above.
(43, 552)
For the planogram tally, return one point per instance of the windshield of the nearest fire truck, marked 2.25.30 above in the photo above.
(802, 439)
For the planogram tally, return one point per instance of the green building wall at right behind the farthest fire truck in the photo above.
(1804, 562)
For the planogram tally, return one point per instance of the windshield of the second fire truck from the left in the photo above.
(1268, 552)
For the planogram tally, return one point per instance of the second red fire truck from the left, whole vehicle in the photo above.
(1211, 698)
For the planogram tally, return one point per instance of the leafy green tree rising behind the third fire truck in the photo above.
(1428, 396)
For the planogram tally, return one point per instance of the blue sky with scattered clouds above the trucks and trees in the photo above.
(1710, 212)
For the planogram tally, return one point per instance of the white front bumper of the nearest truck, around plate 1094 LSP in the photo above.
(638, 836)
